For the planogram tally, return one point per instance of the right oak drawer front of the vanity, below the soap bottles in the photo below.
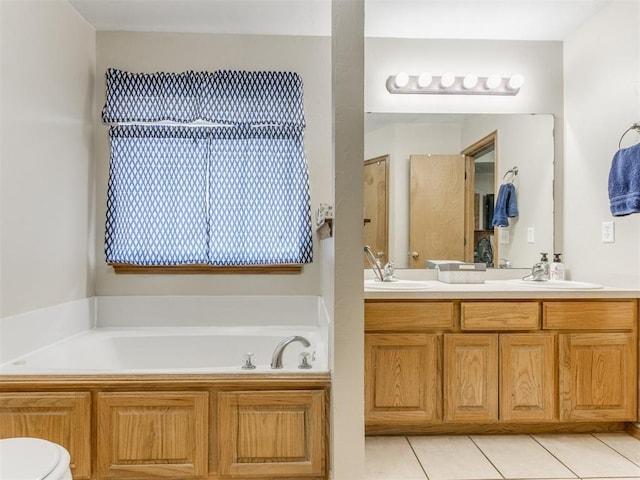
(592, 315)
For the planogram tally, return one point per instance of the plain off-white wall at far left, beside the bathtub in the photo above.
(46, 194)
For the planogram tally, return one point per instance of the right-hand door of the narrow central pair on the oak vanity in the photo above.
(527, 377)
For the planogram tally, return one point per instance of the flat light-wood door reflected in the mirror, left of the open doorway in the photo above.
(438, 212)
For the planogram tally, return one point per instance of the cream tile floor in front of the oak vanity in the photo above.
(497, 457)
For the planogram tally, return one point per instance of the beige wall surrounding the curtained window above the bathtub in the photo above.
(171, 52)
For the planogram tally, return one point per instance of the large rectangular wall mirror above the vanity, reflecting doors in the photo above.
(492, 149)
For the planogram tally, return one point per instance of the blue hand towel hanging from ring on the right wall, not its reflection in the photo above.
(624, 182)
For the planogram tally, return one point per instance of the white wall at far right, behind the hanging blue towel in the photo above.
(602, 99)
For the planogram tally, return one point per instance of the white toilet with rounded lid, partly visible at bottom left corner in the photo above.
(27, 458)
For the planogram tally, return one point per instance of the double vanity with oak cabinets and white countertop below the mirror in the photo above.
(499, 356)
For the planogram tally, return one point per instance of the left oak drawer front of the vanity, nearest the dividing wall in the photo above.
(398, 316)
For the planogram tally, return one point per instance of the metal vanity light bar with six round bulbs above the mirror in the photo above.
(450, 84)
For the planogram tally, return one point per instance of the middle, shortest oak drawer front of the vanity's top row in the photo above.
(494, 316)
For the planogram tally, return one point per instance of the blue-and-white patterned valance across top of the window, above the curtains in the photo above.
(225, 97)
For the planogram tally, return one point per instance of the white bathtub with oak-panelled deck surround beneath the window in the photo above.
(169, 369)
